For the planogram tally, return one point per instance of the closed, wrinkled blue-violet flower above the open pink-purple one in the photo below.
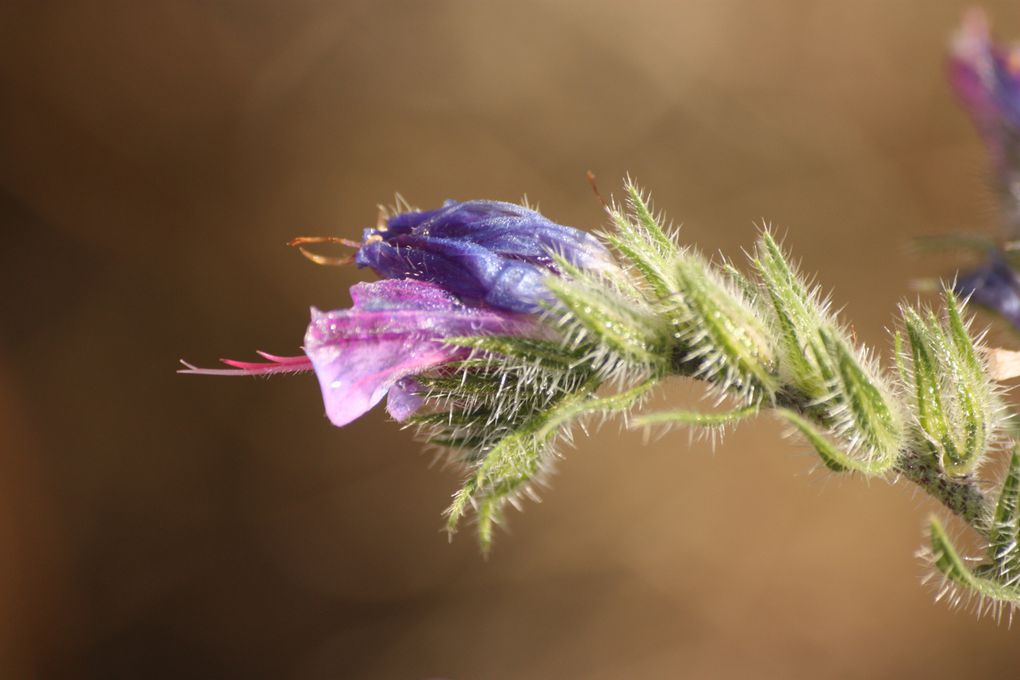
(486, 251)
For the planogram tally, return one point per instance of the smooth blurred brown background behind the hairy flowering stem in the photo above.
(155, 159)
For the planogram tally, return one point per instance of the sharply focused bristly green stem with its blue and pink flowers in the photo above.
(498, 335)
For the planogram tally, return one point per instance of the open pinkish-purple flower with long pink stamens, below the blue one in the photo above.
(394, 332)
